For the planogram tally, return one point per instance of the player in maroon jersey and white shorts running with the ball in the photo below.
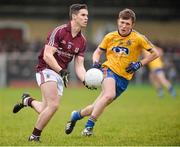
(63, 44)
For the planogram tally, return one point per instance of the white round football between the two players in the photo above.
(93, 77)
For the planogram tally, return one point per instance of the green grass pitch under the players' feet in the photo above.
(137, 117)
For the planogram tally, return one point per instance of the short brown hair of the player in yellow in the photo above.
(127, 14)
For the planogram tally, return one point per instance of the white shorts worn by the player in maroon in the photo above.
(50, 75)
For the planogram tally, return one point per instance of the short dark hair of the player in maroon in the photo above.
(74, 8)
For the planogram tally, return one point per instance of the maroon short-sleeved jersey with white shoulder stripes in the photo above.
(67, 47)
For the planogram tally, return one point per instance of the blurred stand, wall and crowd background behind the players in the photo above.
(24, 25)
